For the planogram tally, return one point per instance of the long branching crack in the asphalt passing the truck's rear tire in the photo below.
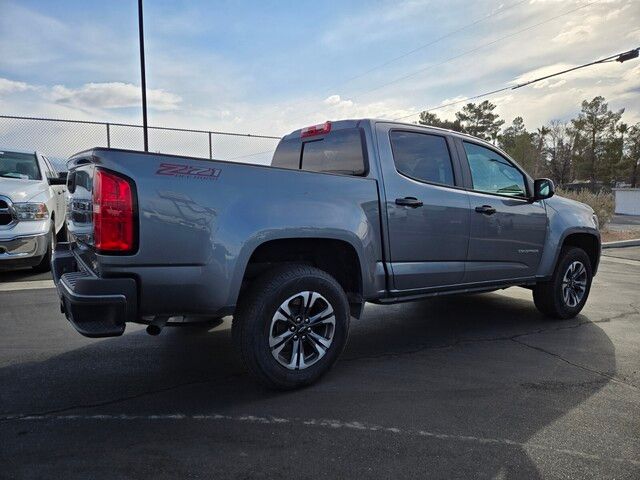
(457, 342)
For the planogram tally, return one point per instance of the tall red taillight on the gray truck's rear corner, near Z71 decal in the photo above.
(113, 222)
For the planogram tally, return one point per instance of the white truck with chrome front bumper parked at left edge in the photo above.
(32, 209)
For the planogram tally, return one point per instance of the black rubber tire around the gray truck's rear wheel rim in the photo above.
(253, 324)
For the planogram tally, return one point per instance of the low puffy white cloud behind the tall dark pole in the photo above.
(112, 95)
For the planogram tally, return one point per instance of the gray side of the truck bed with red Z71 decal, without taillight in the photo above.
(200, 221)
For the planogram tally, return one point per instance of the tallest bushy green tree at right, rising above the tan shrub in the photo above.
(596, 124)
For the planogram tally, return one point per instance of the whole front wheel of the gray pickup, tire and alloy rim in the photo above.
(566, 293)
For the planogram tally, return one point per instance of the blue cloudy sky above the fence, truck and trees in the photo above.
(270, 67)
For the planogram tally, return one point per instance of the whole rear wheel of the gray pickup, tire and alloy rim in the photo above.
(291, 326)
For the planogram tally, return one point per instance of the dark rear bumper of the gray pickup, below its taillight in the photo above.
(95, 306)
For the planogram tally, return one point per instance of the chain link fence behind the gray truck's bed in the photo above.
(59, 139)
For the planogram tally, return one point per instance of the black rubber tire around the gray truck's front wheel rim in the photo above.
(548, 296)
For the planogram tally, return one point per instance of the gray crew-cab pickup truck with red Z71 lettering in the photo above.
(349, 212)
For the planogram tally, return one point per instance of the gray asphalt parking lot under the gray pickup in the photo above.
(461, 387)
